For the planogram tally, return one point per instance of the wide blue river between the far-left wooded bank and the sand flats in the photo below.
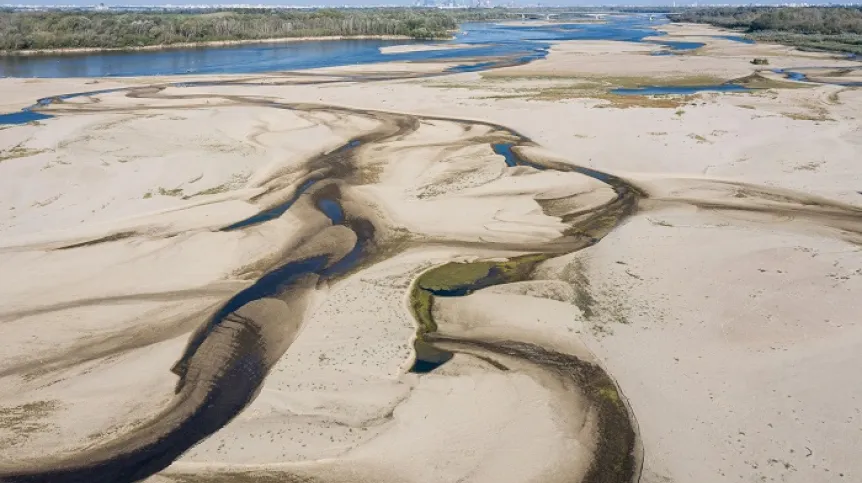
(486, 41)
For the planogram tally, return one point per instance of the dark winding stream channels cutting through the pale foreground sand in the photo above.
(227, 358)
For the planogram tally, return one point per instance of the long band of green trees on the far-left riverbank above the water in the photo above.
(77, 29)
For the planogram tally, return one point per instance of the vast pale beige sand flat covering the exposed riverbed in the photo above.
(725, 307)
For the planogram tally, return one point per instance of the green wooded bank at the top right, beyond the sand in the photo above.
(817, 28)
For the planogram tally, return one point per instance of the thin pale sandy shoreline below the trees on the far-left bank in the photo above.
(209, 43)
